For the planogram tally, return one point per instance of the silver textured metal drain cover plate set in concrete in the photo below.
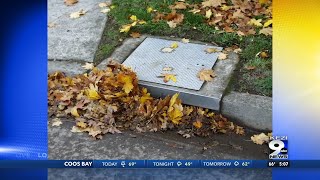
(187, 60)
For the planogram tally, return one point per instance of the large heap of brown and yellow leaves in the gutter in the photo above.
(110, 100)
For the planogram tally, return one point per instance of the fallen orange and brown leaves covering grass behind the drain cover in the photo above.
(242, 17)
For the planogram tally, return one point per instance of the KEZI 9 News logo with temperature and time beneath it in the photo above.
(278, 146)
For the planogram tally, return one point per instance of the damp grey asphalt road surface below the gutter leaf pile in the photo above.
(63, 144)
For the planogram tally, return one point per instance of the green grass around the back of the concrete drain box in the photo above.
(194, 27)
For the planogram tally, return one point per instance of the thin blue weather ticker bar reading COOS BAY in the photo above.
(177, 164)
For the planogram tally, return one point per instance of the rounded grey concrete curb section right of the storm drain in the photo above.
(253, 111)
